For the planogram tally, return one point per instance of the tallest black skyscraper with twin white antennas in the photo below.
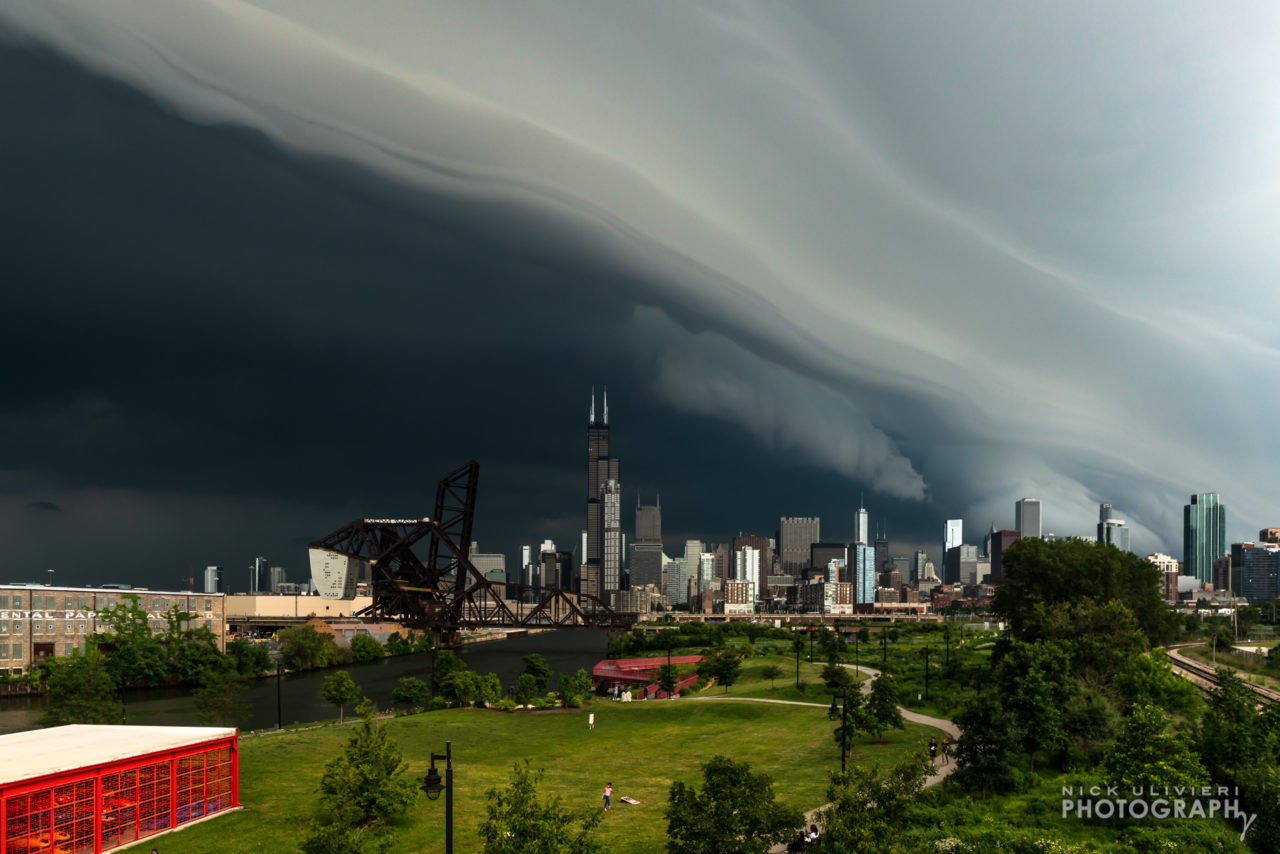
(602, 565)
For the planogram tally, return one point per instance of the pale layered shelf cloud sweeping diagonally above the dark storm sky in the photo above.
(954, 254)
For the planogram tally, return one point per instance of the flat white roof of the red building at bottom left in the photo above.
(67, 748)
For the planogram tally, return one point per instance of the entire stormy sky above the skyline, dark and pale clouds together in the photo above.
(275, 266)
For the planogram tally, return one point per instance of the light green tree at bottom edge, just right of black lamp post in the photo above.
(519, 821)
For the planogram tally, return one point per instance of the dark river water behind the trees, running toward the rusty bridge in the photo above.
(565, 651)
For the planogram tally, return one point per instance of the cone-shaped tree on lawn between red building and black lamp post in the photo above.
(362, 792)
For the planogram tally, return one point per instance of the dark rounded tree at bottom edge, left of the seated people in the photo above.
(734, 814)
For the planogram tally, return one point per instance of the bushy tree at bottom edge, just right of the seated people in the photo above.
(867, 809)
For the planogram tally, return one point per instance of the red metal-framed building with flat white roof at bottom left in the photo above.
(89, 789)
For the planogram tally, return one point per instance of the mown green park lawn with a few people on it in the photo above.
(638, 747)
